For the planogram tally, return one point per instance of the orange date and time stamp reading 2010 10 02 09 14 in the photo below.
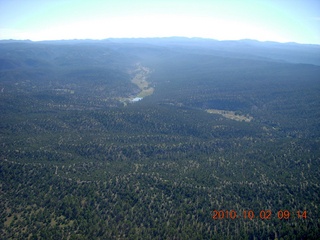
(263, 214)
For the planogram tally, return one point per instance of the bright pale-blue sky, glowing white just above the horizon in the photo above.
(264, 20)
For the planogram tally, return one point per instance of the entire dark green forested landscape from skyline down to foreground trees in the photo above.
(168, 138)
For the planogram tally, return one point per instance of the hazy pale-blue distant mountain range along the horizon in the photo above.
(288, 52)
